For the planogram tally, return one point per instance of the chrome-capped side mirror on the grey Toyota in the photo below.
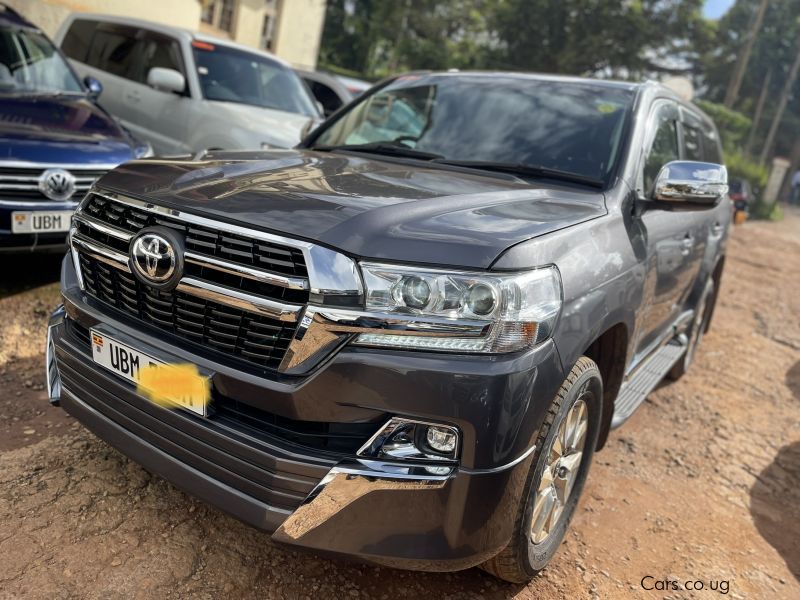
(690, 182)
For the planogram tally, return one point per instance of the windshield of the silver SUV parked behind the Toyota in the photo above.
(232, 75)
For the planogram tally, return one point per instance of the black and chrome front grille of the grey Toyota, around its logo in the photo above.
(239, 295)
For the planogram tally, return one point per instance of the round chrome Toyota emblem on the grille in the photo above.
(156, 258)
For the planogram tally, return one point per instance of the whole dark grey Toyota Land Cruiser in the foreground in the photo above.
(418, 326)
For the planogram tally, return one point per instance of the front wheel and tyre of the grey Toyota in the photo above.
(523, 558)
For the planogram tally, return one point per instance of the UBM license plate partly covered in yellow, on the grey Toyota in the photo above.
(128, 362)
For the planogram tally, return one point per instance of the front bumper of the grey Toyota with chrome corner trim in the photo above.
(331, 502)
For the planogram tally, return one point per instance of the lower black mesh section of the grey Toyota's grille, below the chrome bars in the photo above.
(242, 334)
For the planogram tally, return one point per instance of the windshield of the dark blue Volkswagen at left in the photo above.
(30, 64)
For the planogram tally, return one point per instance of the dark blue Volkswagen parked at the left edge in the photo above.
(55, 140)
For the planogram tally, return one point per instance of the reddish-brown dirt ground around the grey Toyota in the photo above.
(701, 485)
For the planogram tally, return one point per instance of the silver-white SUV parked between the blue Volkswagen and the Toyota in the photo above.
(187, 92)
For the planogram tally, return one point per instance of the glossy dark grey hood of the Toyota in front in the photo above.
(379, 209)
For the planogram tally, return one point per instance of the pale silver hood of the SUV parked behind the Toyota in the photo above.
(274, 127)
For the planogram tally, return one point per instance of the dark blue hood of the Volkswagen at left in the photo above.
(68, 130)
